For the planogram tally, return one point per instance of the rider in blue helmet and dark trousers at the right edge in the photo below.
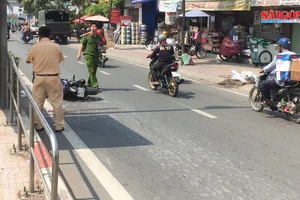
(273, 83)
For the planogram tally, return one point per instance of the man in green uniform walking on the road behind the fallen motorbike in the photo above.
(89, 45)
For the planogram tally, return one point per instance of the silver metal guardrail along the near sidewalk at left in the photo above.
(13, 74)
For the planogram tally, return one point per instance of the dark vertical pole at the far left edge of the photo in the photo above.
(3, 51)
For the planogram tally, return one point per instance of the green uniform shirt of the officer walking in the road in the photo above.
(90, 44)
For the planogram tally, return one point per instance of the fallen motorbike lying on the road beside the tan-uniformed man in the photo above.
(77, 88)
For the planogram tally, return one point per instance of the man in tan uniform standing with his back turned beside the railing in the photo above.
(46, 57)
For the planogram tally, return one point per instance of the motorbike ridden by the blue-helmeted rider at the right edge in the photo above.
(286, 99)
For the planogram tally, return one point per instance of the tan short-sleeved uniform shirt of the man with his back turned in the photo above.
(45, 57)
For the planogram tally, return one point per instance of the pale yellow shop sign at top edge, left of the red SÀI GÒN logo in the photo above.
(231, 5)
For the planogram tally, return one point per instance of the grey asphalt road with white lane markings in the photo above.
(129, 142)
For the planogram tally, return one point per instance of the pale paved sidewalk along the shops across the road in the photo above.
(211, 70)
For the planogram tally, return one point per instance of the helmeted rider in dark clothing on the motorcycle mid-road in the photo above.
(165, 53)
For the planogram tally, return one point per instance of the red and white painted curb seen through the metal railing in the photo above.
(43, 155)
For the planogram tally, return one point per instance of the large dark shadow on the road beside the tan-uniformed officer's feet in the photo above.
(97, 131)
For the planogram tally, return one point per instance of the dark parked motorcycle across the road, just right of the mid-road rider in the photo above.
(194, 49)
